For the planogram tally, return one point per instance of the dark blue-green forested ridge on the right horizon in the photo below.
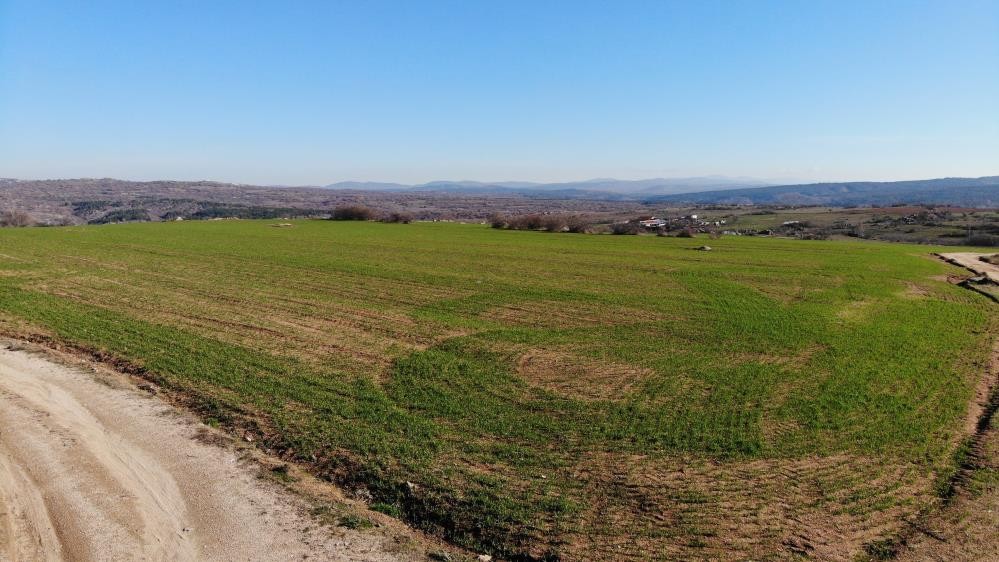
(967, 192)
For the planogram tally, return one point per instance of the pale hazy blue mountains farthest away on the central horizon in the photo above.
(603, 187)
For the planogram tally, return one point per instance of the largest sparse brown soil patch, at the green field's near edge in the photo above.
(826, 508)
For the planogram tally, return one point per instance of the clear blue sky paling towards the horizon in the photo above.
(297, 92)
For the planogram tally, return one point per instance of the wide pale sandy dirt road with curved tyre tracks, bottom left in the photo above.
(94, 471)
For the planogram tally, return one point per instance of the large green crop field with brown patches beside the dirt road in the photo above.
(545, 396)
